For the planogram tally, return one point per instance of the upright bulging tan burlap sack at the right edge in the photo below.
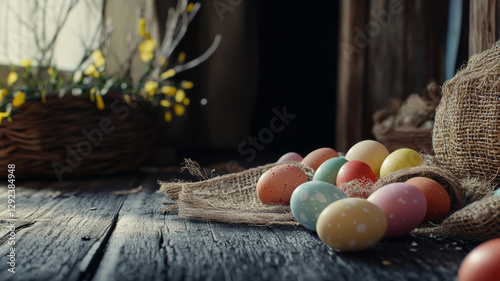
(466, 135)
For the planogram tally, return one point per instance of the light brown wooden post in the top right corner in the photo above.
(484, 25)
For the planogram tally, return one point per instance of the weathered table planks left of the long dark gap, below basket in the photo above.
(69, 225)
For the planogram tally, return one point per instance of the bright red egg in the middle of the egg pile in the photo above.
(356, 170)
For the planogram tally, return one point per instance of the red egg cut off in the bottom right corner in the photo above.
(482, 263)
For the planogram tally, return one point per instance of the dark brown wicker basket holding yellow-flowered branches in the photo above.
(69, 137)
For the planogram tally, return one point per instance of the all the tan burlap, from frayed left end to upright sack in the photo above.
(466, 141)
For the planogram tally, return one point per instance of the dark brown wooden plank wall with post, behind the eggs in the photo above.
(397, 49)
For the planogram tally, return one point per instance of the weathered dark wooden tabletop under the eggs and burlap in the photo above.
(83, 230)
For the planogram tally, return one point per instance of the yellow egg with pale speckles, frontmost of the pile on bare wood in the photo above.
(351, 224)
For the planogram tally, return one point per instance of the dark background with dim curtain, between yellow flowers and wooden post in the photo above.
(273, 54)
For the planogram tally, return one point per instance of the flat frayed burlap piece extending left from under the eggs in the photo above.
(230, 198)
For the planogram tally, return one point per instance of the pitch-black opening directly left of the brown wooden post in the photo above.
(298, 62)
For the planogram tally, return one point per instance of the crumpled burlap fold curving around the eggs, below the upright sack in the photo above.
(474, 214)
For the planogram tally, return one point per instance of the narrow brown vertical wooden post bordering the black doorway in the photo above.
(351, 73)
